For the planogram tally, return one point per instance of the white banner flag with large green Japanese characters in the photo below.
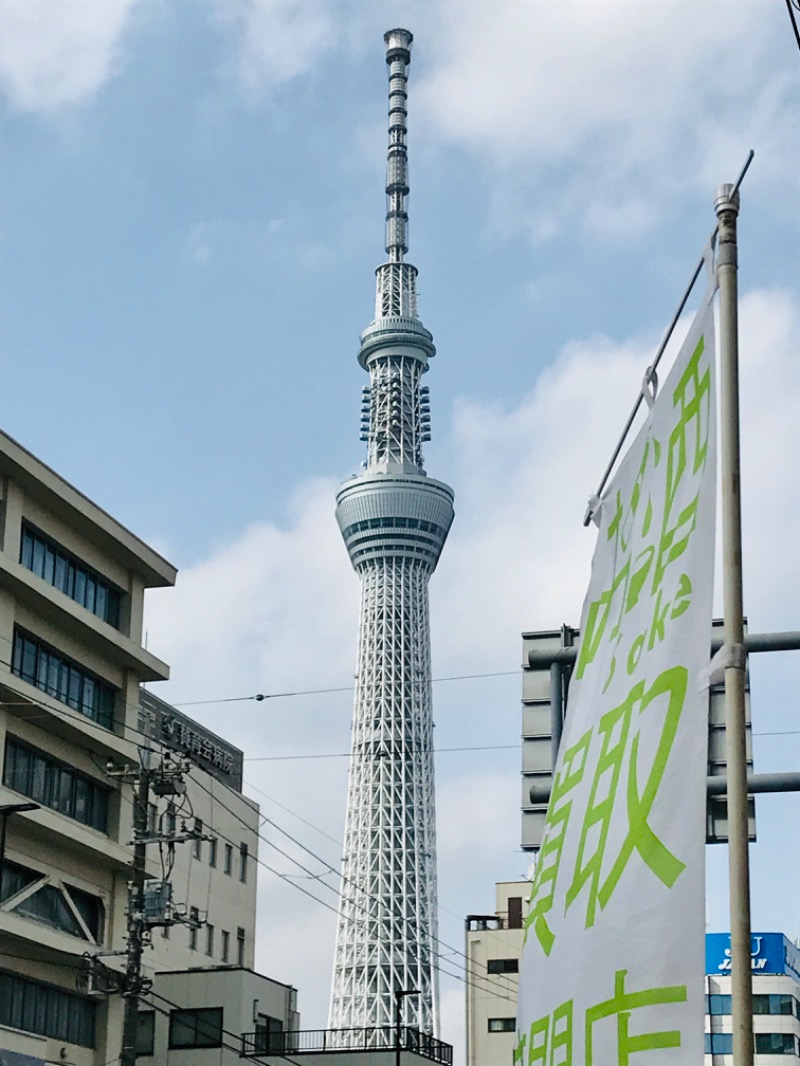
(613, 967)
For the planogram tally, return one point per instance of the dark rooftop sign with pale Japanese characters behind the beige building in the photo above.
(168, 726)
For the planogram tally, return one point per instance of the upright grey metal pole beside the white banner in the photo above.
(727, 206)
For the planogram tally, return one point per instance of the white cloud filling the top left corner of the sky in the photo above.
(54, 56)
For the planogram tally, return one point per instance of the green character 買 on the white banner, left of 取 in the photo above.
(550, 854)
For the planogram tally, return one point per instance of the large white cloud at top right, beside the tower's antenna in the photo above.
(607, 104)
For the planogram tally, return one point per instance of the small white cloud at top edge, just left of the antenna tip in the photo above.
(278, 40)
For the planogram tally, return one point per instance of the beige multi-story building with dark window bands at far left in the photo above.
(72, 593)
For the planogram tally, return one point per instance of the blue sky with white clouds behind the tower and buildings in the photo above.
(193, 213)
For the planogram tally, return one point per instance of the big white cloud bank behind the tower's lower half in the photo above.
(277, 610)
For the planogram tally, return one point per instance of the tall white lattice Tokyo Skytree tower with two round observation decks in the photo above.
(395, 521)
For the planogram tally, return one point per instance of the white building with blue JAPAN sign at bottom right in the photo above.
(776, 968)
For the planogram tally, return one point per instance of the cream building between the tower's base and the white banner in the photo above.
(494, 944)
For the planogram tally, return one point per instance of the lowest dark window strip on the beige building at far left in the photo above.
(39, 1008)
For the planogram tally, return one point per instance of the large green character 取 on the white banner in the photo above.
(616, 729)
